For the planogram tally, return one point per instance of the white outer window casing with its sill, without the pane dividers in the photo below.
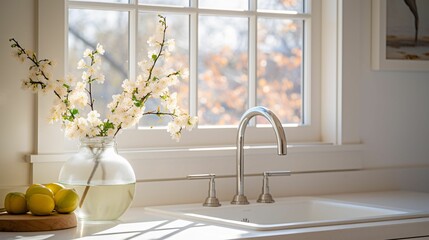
(336, 148)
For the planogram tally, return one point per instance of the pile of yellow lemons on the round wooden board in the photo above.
(42, 199)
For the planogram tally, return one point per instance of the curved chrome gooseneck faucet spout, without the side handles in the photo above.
(240, 198)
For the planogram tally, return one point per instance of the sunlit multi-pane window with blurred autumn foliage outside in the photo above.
(239, 54)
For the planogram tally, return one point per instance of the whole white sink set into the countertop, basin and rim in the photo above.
(286, 213)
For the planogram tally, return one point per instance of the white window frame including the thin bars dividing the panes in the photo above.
(51, 139)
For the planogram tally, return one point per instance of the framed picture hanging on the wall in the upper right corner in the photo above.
(400, 35)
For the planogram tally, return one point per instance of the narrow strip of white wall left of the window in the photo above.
(17, 111)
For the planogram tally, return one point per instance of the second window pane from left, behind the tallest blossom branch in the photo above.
(178, 29)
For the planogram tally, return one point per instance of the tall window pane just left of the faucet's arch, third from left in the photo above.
(222, 69)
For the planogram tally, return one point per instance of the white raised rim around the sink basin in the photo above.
(180, 211)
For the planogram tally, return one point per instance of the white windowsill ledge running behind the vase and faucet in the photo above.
(176, 163)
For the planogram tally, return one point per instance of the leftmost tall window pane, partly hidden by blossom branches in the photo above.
(110, 29)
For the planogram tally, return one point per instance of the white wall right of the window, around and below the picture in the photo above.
(392, 106)
